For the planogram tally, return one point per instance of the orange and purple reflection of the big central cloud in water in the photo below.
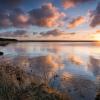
(40, 66)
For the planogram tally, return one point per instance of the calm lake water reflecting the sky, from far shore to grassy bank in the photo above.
(72, 68)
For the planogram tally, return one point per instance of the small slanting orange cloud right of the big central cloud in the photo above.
(76, 22)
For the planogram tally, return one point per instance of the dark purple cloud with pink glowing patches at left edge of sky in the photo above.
(13, 18)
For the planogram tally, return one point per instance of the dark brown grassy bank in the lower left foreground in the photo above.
(15, 84)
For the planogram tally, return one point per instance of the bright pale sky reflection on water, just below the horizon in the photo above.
(76, 57)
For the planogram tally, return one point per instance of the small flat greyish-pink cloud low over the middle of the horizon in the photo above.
(54, 32)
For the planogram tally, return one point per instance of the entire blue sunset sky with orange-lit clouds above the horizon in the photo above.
(50, 19)
